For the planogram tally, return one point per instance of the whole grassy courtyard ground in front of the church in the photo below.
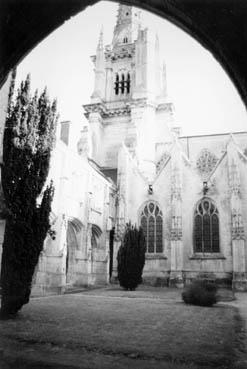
(111, 328)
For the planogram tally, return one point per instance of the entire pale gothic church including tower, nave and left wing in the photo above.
(189, 194)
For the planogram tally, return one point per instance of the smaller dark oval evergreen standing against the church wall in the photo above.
(131, 257)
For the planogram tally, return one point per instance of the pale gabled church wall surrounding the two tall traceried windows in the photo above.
(219, 266)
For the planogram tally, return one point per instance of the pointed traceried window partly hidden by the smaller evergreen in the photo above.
(151, 221)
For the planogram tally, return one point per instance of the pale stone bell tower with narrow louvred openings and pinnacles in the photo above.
(129, 102)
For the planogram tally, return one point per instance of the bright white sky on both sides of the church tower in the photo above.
(205, 99)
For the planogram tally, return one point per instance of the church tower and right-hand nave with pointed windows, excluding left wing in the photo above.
(189, 194)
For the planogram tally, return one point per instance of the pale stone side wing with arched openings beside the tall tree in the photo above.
(81, 202)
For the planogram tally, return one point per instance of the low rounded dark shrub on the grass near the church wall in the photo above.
(200, 292)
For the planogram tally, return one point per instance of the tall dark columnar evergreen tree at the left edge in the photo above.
(28, 140)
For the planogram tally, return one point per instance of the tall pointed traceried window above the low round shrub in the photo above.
(206, 227)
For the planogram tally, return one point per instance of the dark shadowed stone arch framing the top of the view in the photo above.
(220, 26)
